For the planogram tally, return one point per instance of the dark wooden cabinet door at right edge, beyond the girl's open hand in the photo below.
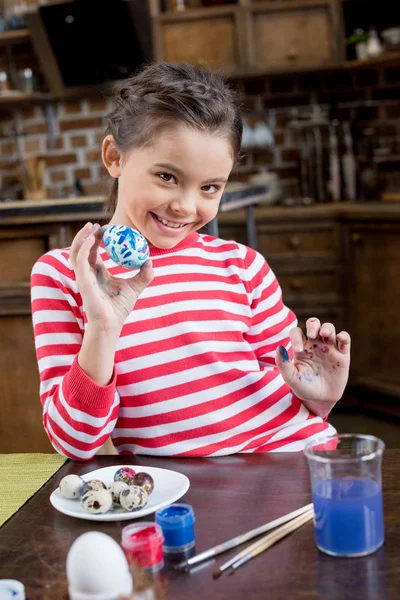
(373, 292)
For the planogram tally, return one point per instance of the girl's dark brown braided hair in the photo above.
(167, 93)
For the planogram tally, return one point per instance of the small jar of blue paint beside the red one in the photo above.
(177, 523)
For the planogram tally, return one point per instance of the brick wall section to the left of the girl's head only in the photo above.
(78, 133)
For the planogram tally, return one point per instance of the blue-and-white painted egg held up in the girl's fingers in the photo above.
(126, 246)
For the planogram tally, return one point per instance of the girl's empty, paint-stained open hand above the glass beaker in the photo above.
(320, 368)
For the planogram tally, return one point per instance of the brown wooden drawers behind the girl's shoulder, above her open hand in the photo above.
(303, 249)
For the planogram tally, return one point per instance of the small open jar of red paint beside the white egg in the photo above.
(143, 545)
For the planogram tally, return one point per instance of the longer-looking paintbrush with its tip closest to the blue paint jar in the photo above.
(239, 539)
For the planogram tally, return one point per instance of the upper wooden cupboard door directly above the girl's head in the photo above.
(208, 42)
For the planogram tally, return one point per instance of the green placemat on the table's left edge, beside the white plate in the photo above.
(21, 475)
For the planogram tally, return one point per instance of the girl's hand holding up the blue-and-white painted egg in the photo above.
(107, 300)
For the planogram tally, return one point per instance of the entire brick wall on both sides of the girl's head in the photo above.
(369, 99)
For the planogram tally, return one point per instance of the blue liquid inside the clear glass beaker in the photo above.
(348, 516)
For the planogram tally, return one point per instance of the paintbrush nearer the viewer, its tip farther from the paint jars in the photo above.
(264, 543)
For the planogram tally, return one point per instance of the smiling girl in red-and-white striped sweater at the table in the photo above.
(191, 355)
